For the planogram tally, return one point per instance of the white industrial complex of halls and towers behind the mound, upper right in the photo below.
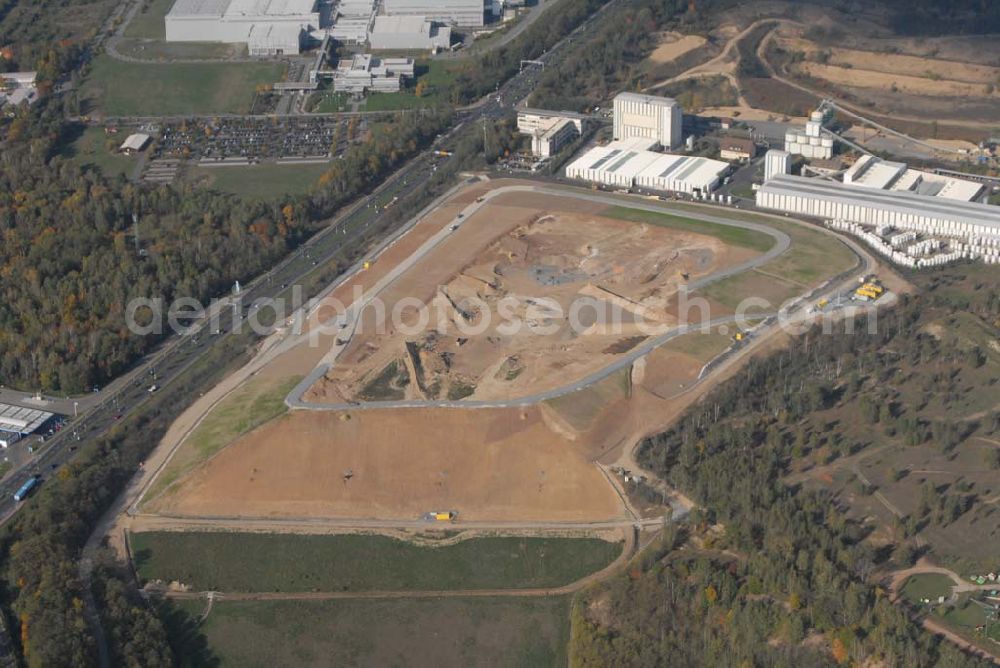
(914, 217)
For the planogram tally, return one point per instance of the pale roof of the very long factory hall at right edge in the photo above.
(984, 217)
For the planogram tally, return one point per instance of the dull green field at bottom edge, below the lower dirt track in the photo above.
(523, 632)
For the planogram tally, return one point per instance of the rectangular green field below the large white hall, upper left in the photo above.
(126, 89)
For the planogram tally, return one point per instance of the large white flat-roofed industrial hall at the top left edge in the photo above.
(267, 27)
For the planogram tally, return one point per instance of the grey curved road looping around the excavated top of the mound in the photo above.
(350, 318)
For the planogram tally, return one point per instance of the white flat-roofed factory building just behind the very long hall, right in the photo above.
(873, 172)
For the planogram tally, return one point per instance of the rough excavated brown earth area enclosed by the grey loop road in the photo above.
(521, 249)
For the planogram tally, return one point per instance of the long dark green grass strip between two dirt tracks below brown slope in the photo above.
(248, 562)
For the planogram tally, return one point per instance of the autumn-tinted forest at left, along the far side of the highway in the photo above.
(68, 264)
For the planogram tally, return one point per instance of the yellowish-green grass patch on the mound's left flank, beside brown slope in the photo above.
(257, 401)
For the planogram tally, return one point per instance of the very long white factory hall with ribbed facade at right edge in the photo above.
(896, 209)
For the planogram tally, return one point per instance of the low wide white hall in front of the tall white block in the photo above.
(630, 163)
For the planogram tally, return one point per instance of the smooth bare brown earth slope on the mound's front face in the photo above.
(486, 464)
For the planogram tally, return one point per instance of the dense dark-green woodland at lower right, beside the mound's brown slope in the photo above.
(784, 577)
